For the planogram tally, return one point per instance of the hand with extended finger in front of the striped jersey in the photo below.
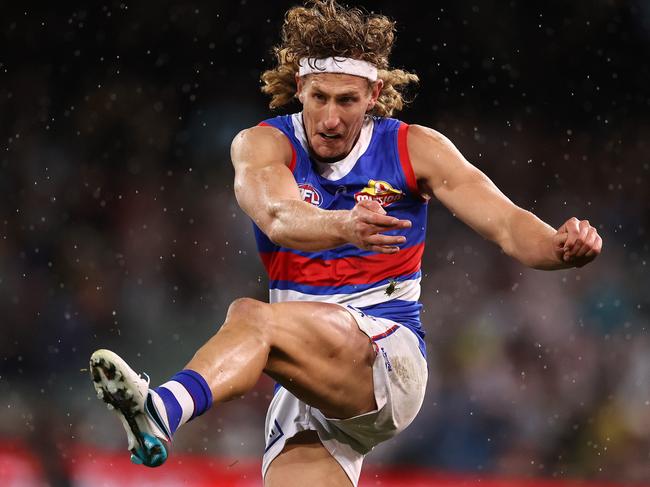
(366, 222)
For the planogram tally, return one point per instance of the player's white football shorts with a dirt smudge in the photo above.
(400, 376)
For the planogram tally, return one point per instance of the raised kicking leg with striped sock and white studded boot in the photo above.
(315, 350)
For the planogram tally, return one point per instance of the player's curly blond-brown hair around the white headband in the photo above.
(323, 28)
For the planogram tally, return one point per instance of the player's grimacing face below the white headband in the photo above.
(334, 107)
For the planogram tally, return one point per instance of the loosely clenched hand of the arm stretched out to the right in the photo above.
(577, 243)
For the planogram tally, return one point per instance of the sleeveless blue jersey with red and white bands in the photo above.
(378, 168)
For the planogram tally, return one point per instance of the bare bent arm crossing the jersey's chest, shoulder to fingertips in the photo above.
(267, 191)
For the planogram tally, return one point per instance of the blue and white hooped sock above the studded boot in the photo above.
(184, 397)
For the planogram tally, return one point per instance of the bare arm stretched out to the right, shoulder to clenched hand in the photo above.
(443, 172)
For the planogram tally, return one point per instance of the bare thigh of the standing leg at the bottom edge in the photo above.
(305, 461)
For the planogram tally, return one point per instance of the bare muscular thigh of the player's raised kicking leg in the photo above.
(322, 357)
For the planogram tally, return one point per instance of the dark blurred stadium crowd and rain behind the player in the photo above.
(118, 229)
